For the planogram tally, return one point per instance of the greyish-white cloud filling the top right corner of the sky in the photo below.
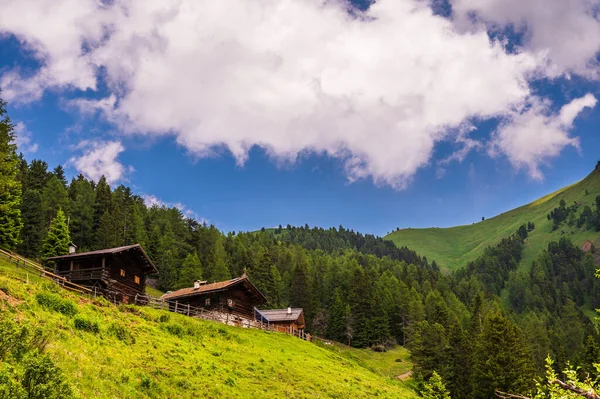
(569, 31)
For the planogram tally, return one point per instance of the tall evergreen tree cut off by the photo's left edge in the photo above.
(10, 187)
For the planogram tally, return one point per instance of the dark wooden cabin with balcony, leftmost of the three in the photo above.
(117, 273)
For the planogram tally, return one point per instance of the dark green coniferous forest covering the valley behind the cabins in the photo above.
(487, 326)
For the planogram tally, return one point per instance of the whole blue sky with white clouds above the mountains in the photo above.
(255, 113)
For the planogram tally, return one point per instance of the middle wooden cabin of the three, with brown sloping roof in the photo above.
(234, 300)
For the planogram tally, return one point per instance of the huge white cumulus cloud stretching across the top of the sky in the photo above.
(377, 90)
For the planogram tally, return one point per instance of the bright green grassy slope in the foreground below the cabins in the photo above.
(138, 352)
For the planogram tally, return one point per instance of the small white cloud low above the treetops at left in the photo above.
(100, 158)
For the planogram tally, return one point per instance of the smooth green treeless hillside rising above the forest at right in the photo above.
(454, 247)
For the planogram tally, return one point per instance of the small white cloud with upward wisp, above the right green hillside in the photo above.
(533, 136)
